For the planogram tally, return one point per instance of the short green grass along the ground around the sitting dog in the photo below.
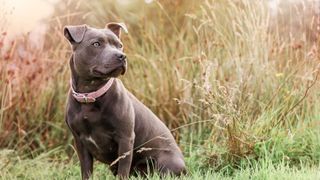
(56, 165)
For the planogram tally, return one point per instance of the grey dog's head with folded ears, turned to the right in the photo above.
(97, 53)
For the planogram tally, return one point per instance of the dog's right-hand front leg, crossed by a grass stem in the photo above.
(125, 154)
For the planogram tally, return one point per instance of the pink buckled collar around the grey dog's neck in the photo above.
(92, 96)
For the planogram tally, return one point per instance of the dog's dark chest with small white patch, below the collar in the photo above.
(94, 131)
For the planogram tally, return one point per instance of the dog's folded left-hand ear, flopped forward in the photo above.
(75, 34)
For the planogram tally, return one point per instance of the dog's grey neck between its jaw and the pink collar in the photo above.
(83, 85)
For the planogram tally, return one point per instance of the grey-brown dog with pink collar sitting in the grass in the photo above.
(109, 123)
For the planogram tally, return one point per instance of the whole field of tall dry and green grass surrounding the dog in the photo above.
(236, 83)
